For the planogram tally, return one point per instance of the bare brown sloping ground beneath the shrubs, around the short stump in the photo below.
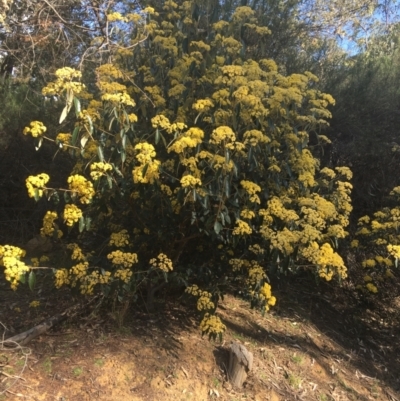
(310, 347)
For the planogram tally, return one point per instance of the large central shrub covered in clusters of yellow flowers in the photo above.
(199, 162)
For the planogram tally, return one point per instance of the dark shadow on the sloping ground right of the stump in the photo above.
(371, 350)
